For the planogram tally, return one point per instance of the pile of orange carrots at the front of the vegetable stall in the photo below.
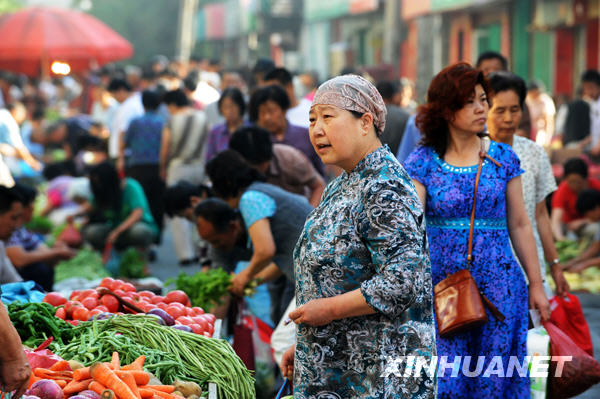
(127, 382)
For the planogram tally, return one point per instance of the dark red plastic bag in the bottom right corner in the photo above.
(578, 374)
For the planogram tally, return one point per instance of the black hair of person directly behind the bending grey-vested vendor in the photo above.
(253, 143)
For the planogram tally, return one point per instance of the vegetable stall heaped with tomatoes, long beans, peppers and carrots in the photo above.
(115, 342)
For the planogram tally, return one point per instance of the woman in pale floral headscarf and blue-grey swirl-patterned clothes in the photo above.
(363, 282)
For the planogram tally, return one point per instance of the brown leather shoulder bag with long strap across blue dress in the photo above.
(459, 304)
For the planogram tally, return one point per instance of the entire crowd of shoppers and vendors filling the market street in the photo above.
(346, 198)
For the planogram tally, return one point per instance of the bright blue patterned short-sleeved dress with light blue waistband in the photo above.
(447, 212)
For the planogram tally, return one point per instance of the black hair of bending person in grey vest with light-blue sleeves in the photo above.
(231, 174)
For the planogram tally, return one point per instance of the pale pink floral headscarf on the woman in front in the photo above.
(353, 93)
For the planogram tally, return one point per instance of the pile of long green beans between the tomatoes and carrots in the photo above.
(199, 358)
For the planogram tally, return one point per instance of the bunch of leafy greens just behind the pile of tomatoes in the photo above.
(205, 289)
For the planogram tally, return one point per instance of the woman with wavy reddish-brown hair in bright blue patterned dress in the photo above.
(443, 171)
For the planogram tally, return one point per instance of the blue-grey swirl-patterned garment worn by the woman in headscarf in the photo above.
(367, 233)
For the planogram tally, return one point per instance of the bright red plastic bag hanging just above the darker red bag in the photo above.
(568, 316)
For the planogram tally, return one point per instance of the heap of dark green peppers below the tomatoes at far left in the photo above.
(35, 322)
